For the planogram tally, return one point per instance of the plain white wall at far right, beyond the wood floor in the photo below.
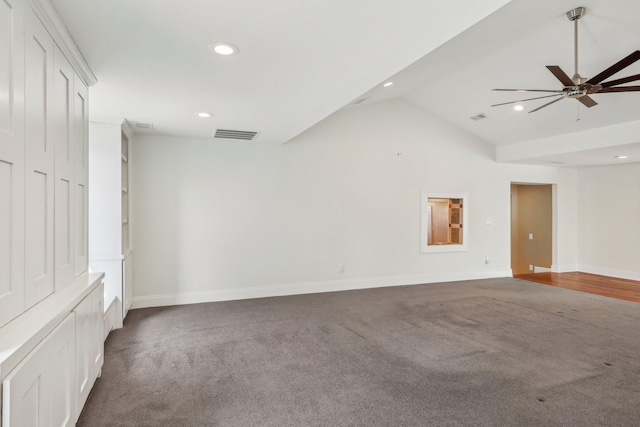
(609, 225)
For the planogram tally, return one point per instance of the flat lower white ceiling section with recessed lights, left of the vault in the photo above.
(299, 61)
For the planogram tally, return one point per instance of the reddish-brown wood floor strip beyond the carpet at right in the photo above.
(591, 283)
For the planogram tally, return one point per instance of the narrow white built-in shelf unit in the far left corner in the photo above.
(110, 248)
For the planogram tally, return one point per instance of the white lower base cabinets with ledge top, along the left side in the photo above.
(64, 351)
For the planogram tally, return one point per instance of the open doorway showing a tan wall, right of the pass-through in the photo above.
(531, 228)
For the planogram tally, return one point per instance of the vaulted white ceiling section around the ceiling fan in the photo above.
(510, 49)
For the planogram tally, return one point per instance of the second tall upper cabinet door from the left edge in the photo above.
(39, 161)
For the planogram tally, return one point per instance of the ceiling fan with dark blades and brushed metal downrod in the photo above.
(579, 87)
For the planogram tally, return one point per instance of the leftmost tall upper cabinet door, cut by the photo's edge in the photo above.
(11, 160)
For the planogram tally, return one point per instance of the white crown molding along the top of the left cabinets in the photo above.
(45, 11)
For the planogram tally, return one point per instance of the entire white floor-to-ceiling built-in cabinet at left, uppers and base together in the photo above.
(51, 308)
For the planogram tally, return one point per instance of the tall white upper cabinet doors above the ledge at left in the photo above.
(43, 161)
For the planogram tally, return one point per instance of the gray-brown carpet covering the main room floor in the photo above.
(499, 352)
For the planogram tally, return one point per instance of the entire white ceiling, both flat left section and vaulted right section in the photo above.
(301, 61)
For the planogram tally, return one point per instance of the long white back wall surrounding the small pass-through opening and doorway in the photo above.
(217, 220)
